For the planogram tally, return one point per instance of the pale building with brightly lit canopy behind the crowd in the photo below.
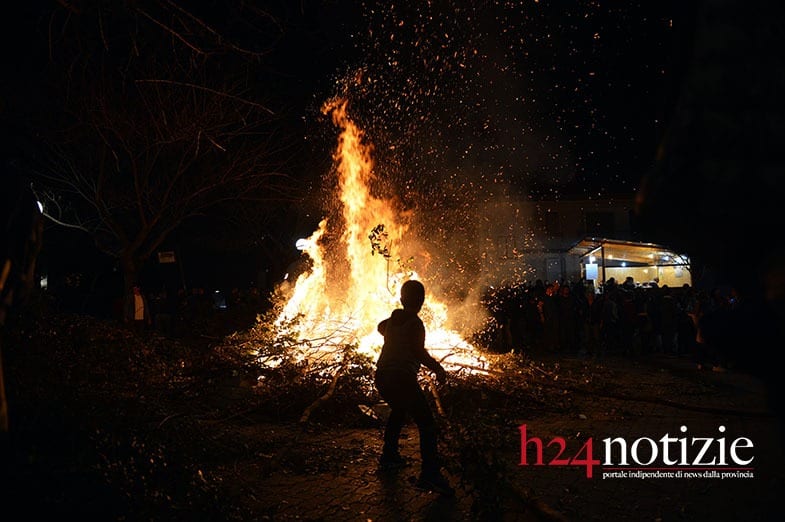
(555, 239)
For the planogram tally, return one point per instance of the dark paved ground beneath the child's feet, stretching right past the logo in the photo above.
(648, 397)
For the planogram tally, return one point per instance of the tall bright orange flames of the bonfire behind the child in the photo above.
(351, 287)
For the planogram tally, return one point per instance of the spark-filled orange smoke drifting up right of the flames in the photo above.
(471, 107)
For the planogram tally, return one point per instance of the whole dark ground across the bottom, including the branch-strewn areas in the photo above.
(109, 426)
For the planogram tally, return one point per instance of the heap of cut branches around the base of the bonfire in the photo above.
(108, 423)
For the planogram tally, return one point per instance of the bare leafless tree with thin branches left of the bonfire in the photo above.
(162, 122)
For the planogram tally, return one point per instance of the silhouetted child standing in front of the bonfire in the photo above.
(396, 379)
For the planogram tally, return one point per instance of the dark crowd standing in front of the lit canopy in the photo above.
(620, 319)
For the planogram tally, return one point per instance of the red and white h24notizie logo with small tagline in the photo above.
(668, 455)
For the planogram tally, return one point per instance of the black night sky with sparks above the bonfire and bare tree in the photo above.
(462, 101)
